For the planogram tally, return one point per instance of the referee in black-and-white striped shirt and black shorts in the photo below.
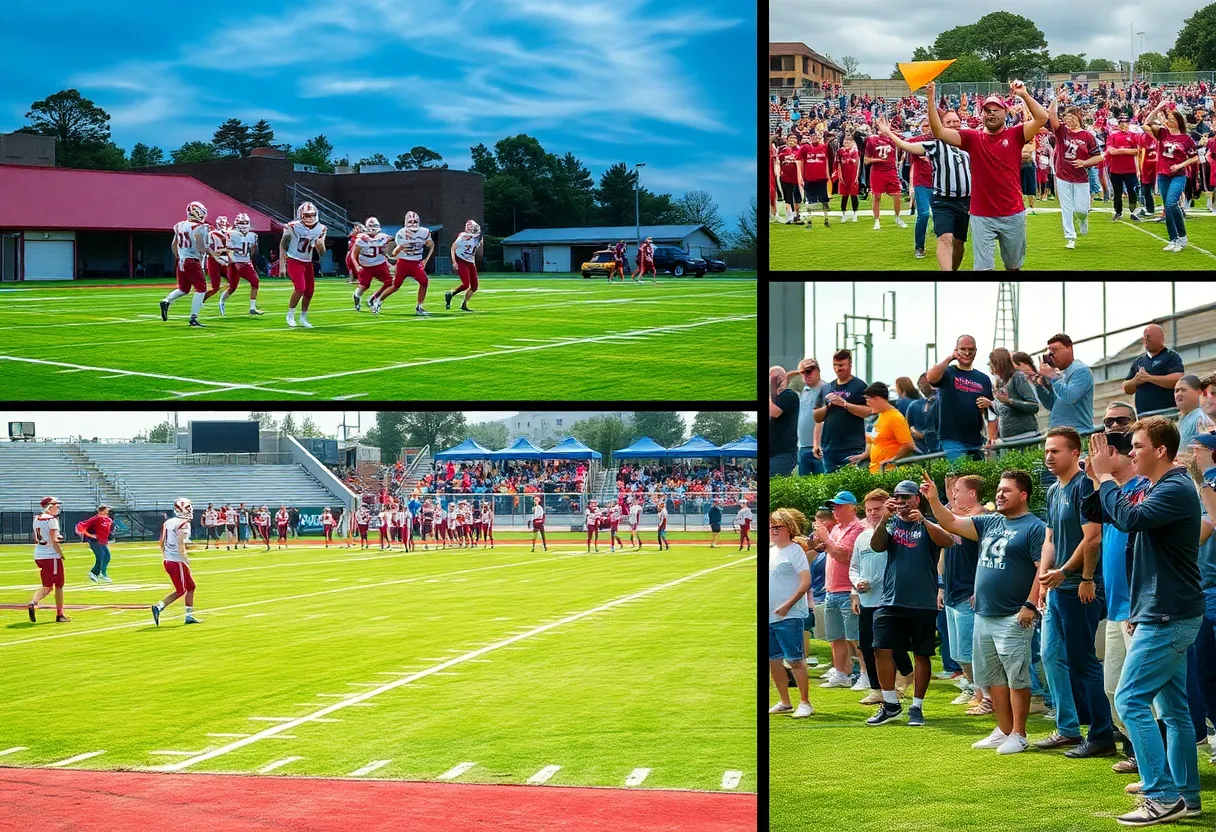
(952, 189)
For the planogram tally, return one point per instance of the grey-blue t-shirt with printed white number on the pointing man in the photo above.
(1010, 554)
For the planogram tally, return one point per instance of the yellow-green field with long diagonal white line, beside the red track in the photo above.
(389, 644)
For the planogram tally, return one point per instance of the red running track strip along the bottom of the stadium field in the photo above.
(109, 801)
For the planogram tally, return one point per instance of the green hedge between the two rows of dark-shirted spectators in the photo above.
(809, 493)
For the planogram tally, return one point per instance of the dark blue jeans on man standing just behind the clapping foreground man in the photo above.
(1073, 668)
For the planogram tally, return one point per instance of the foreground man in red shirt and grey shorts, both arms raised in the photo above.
(998, 213)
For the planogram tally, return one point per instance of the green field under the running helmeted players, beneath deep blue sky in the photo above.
(530, 339)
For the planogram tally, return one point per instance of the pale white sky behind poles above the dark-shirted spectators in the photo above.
(973, 312)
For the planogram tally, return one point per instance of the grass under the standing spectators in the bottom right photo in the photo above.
(854, 778)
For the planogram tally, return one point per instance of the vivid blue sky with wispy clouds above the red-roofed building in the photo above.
(672, 85)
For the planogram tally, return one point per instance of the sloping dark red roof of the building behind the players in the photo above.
(41, 198)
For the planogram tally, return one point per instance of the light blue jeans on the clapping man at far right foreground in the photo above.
(1156, 671)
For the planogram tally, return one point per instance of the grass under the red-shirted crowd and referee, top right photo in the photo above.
(1123, 246)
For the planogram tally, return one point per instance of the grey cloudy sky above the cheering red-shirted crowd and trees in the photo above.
(881, 32)
